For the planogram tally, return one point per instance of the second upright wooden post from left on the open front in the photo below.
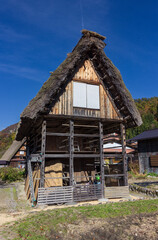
(71, 158)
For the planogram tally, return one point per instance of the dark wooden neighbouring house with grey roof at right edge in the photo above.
(148, 150)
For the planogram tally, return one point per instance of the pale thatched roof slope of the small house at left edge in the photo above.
(12, 150)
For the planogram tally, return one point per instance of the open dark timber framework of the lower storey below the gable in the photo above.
(38, 153)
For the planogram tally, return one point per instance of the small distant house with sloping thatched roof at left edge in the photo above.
(15, 155)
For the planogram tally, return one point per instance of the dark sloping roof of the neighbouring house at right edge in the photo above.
(153, 133)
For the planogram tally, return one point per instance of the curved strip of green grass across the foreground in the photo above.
(40, 225)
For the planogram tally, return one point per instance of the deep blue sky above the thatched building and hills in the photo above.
(35, 37)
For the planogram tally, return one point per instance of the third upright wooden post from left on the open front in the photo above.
(101, 158)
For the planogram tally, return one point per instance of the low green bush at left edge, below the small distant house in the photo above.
(11, 174)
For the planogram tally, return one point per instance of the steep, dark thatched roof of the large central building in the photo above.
(90, 46)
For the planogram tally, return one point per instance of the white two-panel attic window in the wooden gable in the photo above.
(86, 95)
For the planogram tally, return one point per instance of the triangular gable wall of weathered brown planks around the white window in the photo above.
(86, 74)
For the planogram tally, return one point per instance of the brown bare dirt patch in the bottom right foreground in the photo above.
(136, 227)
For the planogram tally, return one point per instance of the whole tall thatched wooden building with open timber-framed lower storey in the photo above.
(65, 154)
